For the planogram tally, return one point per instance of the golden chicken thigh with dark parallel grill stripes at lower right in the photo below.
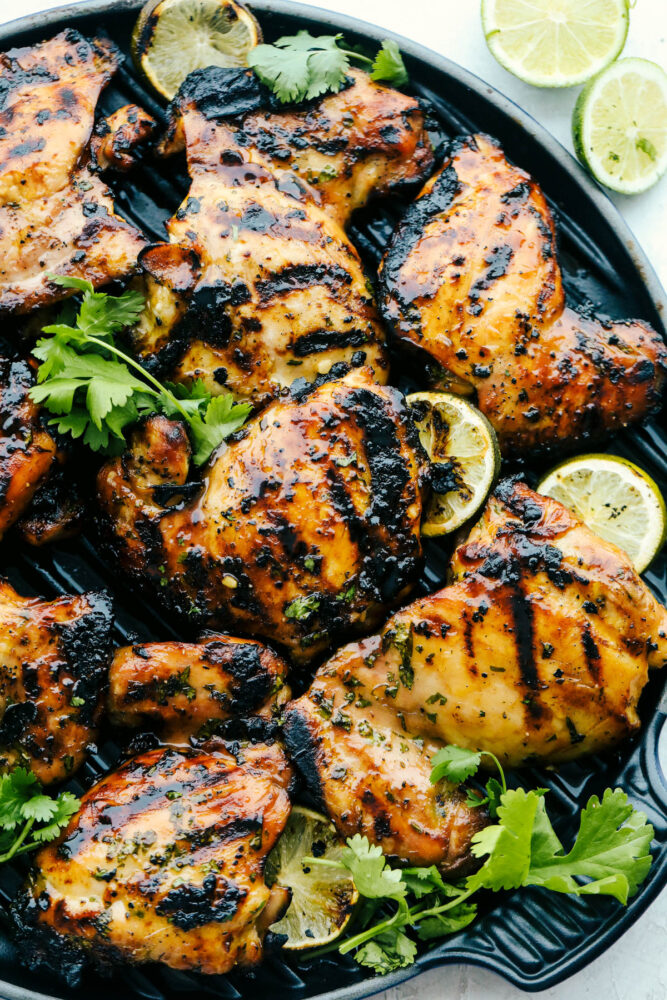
(538, 651)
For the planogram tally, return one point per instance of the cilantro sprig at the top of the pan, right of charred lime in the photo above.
(300, 67)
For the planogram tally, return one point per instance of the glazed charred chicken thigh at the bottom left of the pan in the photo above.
(163, 863)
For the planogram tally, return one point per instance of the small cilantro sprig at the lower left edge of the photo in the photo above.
(28, 817)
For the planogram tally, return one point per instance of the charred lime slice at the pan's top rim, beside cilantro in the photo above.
(173, 37)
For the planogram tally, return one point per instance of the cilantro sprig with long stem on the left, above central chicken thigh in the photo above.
(96, 390)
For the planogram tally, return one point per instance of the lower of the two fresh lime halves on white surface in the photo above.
(619, 125)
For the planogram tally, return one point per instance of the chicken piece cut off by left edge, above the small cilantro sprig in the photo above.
(53, 665)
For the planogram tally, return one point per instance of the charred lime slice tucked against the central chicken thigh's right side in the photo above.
(465, 460)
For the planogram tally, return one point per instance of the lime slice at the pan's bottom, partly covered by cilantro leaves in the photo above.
(322, 897)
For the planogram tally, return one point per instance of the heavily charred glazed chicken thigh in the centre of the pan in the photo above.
(305, 528)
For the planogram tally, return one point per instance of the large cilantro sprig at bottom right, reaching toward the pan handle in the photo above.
(609, 856)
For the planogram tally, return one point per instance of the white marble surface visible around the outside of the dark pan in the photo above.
(636, 967)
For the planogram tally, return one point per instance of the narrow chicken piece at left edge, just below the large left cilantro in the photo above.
(27, 450)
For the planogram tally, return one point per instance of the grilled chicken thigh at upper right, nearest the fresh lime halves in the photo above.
(472, 278)
